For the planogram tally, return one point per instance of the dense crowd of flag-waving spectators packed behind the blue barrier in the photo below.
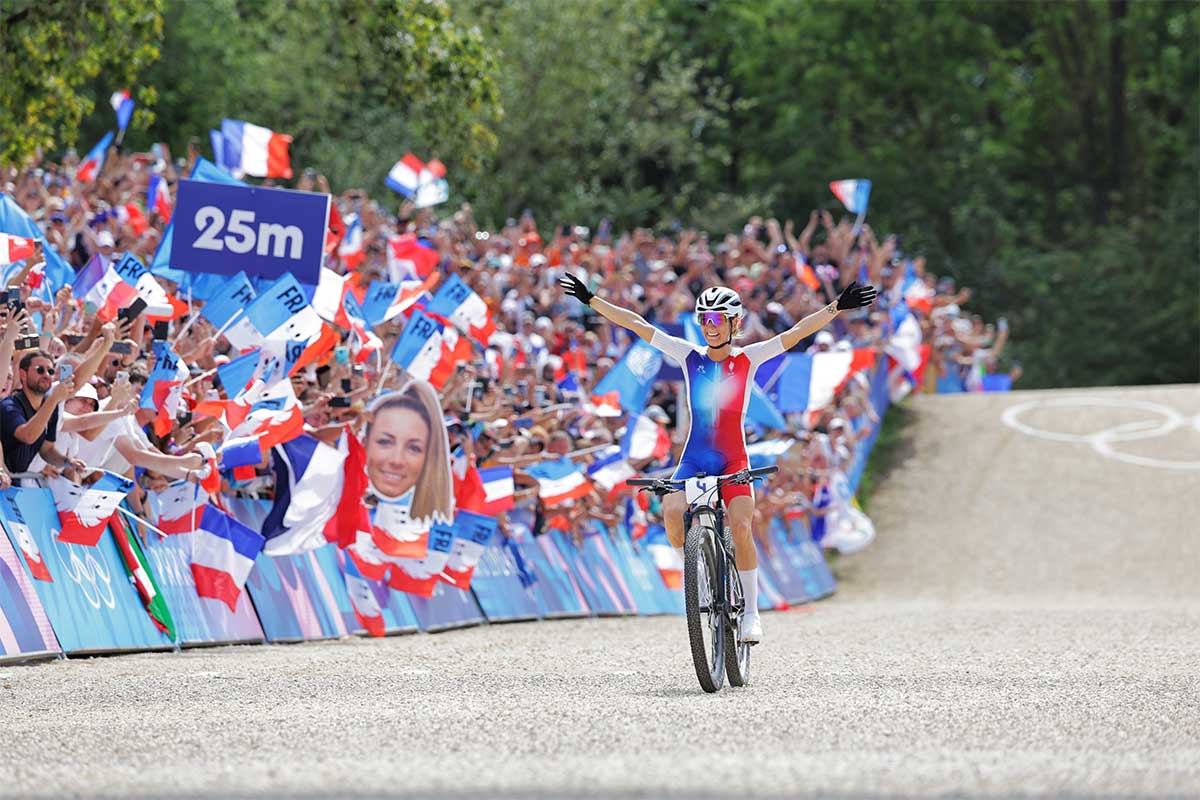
(71, 382)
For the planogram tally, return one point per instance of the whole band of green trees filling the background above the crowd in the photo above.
(1048, 155)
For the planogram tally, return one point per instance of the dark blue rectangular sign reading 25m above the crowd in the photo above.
(266, 232)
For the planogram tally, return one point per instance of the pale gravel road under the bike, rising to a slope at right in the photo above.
(1027, 623)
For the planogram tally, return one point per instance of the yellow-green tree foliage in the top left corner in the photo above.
(50, 53)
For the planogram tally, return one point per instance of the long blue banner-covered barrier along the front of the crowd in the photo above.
(89, 605)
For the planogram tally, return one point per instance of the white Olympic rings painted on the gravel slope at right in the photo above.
(1102, 442)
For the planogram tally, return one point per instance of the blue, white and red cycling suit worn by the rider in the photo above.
(718, 395)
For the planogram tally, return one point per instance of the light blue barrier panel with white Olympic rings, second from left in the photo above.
(89, 601)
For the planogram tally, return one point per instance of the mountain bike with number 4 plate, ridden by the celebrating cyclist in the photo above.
(712, 590)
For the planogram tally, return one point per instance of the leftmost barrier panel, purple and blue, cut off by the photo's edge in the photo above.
(26, 631)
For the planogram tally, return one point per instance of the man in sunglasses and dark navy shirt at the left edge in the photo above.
(29, 419)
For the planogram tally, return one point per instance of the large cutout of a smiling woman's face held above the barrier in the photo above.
(409, 454)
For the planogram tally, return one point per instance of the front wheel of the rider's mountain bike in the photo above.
(704, 600)
